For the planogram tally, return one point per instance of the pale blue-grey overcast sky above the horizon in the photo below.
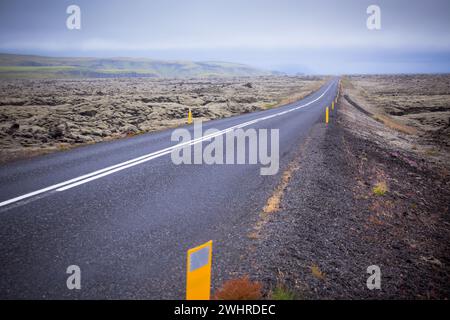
(314, 36)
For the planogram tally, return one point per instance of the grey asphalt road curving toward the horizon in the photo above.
(126, 215)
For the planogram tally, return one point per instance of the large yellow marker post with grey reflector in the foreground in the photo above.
(198, 275)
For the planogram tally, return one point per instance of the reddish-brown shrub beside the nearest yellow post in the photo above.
(239, 289)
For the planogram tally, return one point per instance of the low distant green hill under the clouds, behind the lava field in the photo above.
(29, 66)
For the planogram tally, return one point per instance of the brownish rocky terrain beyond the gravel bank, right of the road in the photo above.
(416, 105)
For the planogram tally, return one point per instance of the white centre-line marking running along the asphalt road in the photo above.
(133, 162)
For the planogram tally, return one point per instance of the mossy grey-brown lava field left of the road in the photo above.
(40, 116)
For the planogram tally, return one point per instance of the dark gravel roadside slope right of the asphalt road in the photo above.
(331, 225)
